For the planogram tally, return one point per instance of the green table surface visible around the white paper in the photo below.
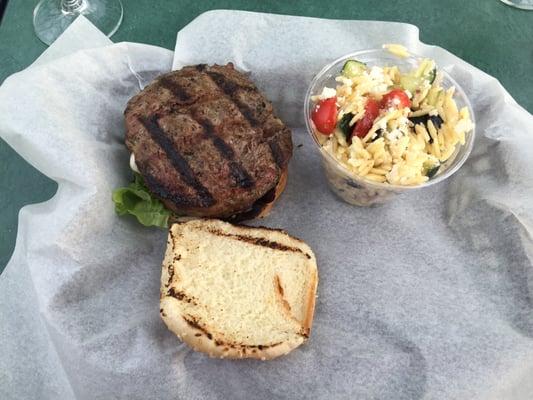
(488, 34)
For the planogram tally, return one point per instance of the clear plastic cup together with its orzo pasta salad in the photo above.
(388, 122)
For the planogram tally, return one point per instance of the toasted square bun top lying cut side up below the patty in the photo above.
(237, 292)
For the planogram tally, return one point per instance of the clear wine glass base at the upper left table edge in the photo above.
(50, 20)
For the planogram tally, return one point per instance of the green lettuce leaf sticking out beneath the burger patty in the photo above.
(136, 200)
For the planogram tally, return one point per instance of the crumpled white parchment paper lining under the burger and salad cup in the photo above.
(428, 297)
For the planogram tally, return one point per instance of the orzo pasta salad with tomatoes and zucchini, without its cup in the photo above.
(390, 126)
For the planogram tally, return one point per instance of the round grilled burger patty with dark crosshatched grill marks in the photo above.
(207, 141)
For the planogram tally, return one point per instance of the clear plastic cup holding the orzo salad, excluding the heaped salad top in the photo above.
(355, 189)
